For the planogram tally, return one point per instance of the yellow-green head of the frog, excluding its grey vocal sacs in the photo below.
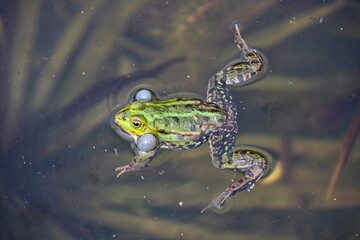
(131, 120)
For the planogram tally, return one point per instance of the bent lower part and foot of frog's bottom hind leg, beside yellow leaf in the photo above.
(251, 161)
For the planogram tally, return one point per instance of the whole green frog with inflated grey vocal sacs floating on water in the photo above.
(184, 123)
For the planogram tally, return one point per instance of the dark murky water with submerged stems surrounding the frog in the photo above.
(67, 65)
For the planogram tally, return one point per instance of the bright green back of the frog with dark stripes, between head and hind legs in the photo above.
(182, 122)
